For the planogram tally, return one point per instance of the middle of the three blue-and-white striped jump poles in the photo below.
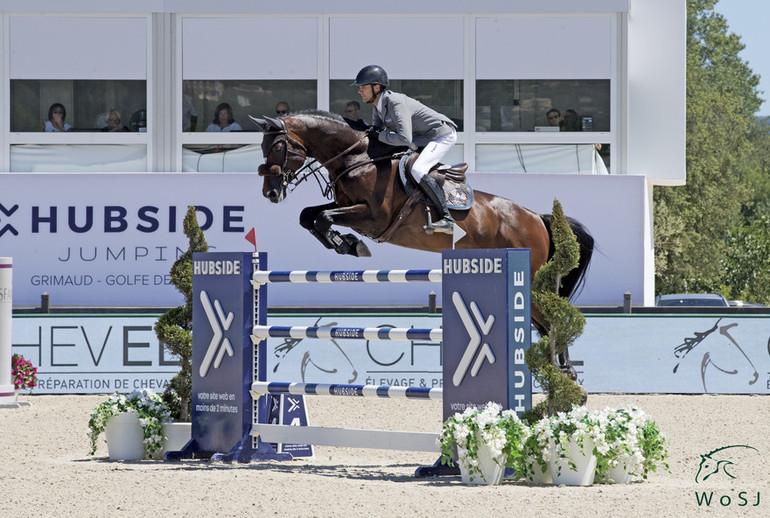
(260, 332)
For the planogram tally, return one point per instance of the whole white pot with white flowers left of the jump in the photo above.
(133, 424)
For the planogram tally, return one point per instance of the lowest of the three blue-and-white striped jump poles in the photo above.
(337, 389)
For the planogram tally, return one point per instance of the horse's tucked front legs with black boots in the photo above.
(318, 221)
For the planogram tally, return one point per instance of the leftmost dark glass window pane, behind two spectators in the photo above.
(86, 103)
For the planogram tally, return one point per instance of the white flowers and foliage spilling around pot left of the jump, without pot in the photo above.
(152, 413)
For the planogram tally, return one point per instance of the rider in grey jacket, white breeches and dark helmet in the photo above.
(399, 120)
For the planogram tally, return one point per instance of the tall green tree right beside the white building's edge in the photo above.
(692, 221)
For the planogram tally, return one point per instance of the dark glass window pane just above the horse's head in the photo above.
(252, 97)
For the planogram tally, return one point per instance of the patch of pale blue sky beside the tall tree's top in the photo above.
(749, 19)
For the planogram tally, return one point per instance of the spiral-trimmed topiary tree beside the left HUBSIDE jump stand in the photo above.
(174, 328)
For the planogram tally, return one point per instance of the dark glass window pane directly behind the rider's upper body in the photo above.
(444, 96)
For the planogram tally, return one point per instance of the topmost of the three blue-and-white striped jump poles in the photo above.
(370, 276)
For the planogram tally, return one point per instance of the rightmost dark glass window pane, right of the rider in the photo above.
(524, 105)
